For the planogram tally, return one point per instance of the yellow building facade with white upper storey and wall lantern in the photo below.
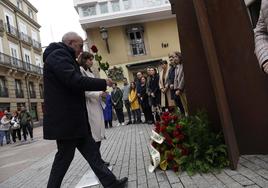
(138, 33)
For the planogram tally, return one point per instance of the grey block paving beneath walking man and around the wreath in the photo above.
(126, 148)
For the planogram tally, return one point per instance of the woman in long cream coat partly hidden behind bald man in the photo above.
(94, 102)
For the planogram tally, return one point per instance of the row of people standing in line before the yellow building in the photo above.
(153, 93)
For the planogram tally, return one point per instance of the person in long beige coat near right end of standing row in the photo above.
(166, 100)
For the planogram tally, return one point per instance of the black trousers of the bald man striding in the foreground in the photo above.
(63, 158)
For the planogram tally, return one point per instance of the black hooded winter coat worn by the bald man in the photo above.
(65, 115)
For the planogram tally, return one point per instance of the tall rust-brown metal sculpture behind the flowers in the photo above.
(222, 73)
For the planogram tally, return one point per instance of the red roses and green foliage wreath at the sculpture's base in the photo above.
(189, 144)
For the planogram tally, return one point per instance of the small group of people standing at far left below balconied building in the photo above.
(13, 124)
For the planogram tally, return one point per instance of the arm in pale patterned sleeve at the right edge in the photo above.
(261, 37)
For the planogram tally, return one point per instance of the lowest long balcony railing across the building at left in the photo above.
(21, 65)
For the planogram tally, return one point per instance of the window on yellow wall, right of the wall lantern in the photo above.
(135, 35)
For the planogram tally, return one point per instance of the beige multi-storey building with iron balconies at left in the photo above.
(21, 80)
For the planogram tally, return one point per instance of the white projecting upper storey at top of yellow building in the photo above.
(127, 12)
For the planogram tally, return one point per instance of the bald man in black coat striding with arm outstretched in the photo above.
(65, 114)
